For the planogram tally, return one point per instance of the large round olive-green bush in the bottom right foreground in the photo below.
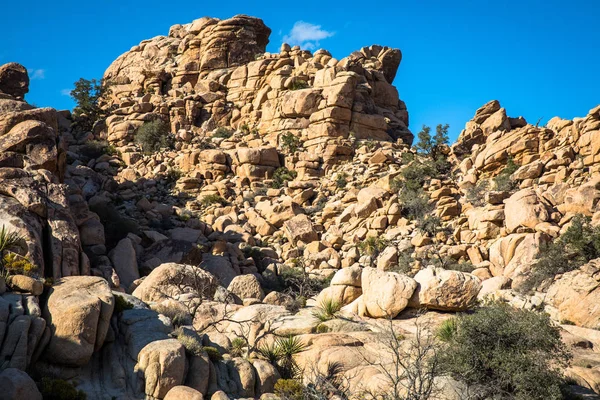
(501, 352)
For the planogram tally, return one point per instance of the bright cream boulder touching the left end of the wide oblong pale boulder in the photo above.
(385, 294)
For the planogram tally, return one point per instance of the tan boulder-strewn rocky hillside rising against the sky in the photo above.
(241, 221)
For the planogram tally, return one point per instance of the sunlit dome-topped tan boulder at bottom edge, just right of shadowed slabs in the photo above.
(162, 366)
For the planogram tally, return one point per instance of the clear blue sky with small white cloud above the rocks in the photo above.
(540, 58)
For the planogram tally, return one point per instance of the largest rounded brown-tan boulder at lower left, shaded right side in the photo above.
(78, 312)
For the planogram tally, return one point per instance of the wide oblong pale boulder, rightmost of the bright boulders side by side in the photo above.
(445, 290)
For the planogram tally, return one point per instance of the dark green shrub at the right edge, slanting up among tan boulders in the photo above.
(579, 244)
